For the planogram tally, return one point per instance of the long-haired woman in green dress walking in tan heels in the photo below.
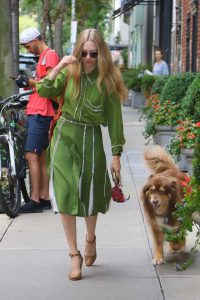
(79, 181)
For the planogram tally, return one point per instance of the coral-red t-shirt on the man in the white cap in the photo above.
(40, 105)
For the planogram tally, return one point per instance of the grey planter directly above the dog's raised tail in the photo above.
(163, 135)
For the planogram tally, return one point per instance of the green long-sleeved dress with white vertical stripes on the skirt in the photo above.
(79, 181)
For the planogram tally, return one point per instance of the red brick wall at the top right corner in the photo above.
(187, 11)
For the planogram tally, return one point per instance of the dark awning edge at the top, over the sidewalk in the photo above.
(126, 5)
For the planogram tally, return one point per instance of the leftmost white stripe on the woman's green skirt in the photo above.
(51, 185)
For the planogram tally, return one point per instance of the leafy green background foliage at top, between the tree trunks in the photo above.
(89, 14)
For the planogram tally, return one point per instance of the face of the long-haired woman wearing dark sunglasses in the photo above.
(89, 56)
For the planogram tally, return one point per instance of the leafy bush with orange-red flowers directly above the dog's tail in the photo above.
(155, 113)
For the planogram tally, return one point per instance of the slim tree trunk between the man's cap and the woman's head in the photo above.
(58, 28)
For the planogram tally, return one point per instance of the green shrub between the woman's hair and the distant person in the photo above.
(133, 77)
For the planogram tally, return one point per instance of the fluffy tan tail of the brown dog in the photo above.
(158, 160)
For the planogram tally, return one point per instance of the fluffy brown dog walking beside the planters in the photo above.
(160, 195)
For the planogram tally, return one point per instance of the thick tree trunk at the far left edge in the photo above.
(7, 85)
